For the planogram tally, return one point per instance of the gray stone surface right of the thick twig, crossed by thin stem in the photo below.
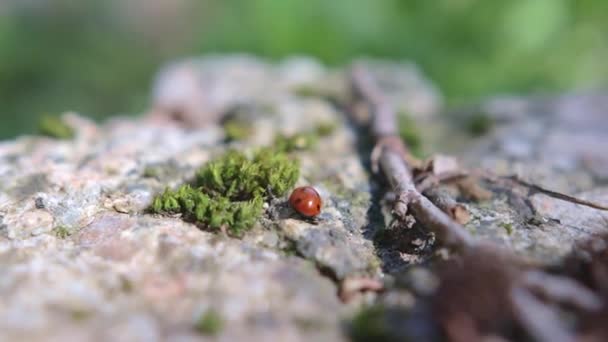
(557, 143)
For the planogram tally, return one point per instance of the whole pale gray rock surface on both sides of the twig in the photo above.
(81, 259)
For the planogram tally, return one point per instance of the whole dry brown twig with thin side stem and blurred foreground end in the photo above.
(490, 286)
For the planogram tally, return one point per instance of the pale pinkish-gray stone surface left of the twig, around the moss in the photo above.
(80, 258)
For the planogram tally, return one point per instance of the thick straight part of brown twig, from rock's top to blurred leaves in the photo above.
(391, 155)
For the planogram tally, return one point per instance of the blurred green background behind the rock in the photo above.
(99, 57)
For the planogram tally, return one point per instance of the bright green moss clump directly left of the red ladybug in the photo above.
(230, 191)
